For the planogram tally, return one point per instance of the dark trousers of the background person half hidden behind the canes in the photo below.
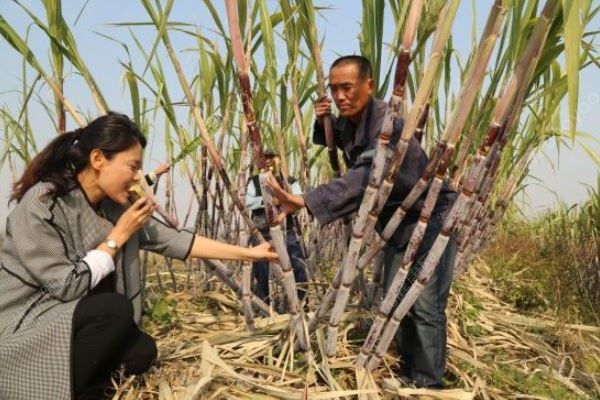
(260, 270)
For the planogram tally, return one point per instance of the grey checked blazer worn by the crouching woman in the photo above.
(43, 276)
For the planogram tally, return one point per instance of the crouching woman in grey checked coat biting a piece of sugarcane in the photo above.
(70, 301)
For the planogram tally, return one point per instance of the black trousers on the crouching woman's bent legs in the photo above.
(104, 338)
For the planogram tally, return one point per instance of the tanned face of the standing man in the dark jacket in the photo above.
(350, 92)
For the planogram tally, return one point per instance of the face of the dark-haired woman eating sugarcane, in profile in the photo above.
(119, 172)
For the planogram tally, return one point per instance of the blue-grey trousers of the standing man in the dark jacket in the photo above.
(421, 338)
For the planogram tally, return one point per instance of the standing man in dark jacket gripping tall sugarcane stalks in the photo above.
(421, 340)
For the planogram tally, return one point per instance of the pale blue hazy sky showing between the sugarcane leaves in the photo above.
(555, 175)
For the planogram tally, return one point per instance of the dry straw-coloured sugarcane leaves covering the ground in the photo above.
(489, 357)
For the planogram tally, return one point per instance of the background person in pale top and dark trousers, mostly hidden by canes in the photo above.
(254, 203)
